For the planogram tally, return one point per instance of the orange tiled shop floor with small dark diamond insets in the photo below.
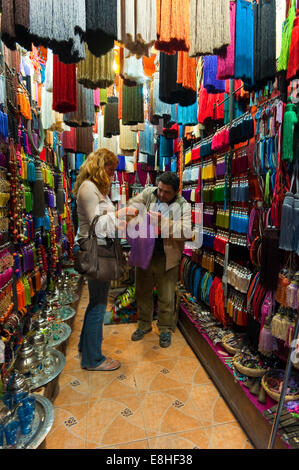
(158, 399)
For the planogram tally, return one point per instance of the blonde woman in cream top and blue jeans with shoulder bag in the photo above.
(91, 190)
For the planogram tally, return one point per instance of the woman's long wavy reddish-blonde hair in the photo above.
(93, 169)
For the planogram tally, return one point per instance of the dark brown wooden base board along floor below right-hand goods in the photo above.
(245, 406)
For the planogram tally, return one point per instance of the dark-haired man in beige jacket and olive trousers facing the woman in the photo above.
(171, 215)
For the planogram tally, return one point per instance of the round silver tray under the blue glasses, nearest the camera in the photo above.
(41, 426)
